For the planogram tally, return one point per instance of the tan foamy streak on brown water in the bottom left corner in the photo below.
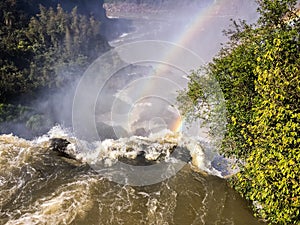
(62, 207)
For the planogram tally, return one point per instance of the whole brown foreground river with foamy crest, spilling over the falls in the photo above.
(40, 187)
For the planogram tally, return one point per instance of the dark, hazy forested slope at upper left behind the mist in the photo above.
(43, 48)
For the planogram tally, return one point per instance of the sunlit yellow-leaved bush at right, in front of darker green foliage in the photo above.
(271, 175)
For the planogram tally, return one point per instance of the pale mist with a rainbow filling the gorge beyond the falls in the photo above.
(108, 104)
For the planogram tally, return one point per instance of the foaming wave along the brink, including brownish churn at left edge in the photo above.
(161, 146)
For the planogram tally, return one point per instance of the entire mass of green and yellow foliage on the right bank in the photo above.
(259, 73)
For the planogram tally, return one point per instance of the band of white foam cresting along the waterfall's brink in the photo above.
(158, 144)
